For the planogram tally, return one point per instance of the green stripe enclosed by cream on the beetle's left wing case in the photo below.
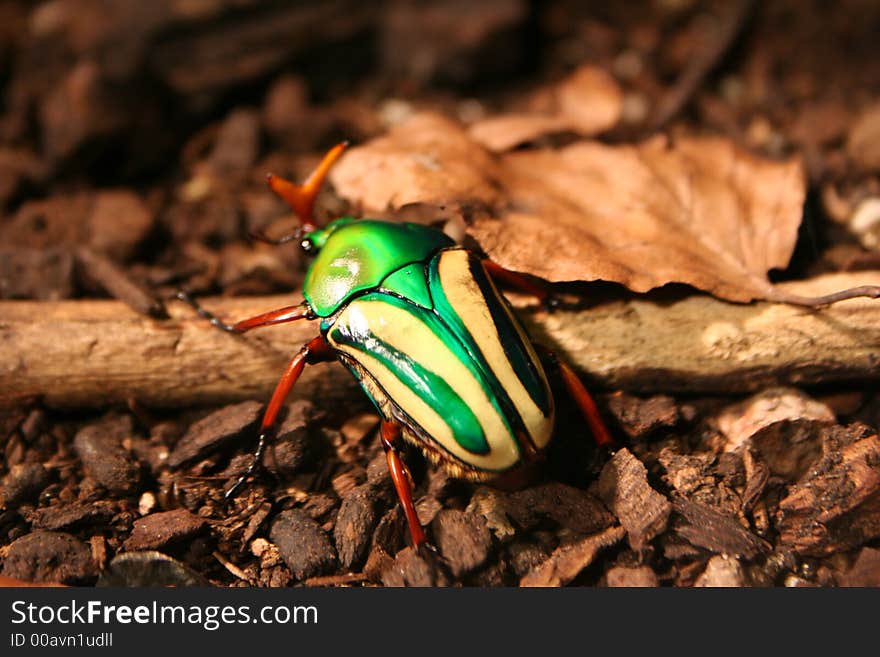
(431, 388)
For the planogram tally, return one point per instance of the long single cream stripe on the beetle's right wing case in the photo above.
(465, 296)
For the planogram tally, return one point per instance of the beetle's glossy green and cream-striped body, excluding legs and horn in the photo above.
(432, 342)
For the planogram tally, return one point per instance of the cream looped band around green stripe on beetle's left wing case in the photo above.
(410, 336)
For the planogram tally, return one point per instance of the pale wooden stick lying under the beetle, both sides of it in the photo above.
(93, 353)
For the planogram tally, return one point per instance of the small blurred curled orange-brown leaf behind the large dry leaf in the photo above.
(587, 102)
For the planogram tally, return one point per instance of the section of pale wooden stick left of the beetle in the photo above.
(96, 353)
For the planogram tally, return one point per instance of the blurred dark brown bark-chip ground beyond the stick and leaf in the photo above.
(142, 131)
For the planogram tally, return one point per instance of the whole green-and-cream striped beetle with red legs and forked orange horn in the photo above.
(420, 323)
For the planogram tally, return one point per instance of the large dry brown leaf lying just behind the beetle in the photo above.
(699, 210)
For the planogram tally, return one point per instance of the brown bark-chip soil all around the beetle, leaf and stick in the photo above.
(134, 143)
